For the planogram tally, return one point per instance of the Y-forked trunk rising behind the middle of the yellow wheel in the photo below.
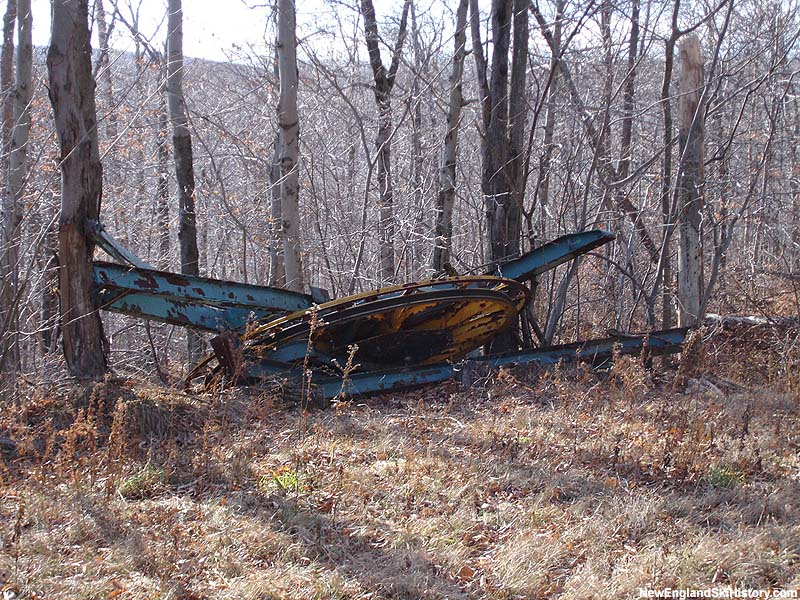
(384, 82)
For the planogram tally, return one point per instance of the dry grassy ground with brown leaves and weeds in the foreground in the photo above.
(566, 483)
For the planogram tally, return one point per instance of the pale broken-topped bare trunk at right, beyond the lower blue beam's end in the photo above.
(690, 182)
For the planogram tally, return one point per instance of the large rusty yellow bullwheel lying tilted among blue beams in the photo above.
(407, 325)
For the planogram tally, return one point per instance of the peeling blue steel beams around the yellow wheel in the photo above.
(214, 305)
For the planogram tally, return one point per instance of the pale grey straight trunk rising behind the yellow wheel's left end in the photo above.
(289, 132)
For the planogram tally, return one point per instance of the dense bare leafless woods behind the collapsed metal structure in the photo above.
(432, 136)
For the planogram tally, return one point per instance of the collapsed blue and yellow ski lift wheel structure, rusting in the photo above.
(389, 338)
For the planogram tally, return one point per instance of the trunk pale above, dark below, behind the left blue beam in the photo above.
(182, 152)
